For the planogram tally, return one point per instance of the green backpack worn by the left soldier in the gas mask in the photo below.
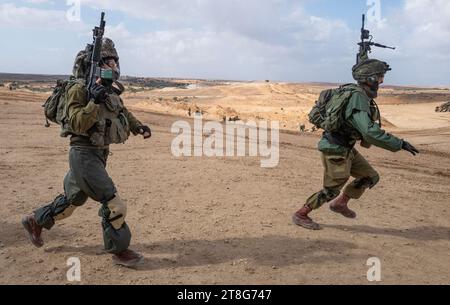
(55, 108)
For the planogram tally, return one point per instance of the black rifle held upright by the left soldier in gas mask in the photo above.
(93, 50)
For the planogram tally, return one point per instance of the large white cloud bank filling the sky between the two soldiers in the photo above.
(249, 39)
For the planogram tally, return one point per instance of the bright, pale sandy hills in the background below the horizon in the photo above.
(289, 103)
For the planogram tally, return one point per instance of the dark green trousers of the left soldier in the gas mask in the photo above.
(87, 178)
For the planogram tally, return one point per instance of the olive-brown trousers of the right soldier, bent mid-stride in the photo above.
(338, 170)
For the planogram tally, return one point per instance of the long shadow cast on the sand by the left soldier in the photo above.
(268, 251)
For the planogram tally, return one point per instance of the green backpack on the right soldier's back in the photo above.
(328, 112)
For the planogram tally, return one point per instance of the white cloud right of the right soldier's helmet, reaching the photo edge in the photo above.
(420, 30)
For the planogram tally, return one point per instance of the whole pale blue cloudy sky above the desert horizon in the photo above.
(284, 40)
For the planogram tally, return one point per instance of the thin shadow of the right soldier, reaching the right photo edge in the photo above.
(419, 233)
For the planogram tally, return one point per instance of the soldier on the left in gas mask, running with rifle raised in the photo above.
(93, 125)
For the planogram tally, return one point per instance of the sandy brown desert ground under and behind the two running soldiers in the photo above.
(227, 220)
